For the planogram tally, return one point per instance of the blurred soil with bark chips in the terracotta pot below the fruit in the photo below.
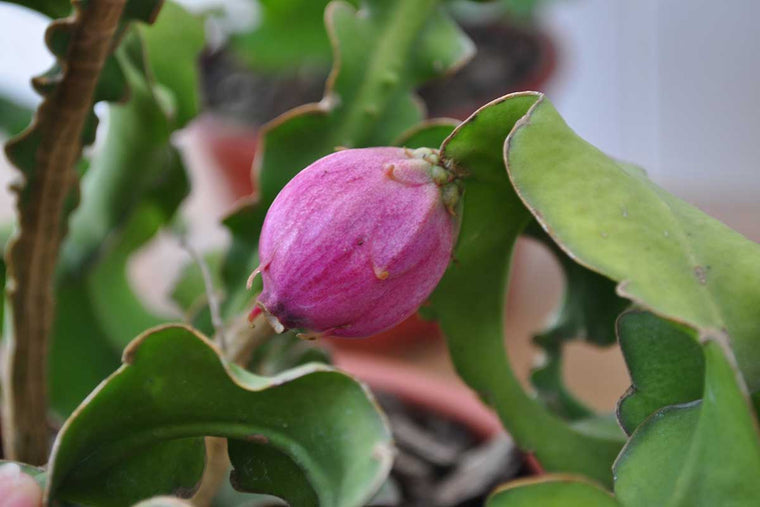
(442, 463)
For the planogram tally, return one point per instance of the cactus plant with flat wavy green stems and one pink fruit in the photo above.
(365, 211)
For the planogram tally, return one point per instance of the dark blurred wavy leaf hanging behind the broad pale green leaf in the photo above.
(588, 312)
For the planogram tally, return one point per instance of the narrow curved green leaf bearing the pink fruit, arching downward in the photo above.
(469, 301)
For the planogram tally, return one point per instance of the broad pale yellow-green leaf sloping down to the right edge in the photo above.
(668, 257)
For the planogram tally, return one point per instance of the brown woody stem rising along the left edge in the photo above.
(33, 254)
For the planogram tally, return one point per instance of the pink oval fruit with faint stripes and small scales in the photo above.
(357, 241)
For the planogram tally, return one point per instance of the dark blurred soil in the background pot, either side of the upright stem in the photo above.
(509, 57)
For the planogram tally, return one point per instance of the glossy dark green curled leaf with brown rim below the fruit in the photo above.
(174, 387)
